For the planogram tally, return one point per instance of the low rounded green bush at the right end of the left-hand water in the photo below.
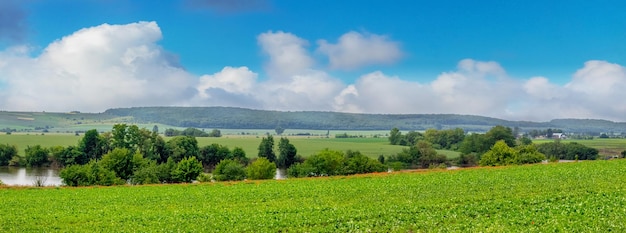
(88, 174)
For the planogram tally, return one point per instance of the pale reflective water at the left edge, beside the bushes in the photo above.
(27, 176)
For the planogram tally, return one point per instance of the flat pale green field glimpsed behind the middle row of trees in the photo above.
(372, 147)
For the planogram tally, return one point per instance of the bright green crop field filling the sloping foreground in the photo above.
(567, 197)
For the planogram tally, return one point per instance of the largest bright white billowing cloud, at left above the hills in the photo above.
(94, 69)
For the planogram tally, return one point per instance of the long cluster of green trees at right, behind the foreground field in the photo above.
(498, 146)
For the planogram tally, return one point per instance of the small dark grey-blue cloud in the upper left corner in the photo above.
(12, 21)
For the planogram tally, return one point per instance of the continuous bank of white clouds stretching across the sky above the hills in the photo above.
(109, 66)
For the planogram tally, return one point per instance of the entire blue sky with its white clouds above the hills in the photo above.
(274, 54)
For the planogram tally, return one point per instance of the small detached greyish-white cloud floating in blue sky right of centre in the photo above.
(354, 50)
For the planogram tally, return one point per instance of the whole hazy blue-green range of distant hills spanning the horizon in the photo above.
(241, 118)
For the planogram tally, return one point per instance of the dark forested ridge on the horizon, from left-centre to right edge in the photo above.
(241, 118)
